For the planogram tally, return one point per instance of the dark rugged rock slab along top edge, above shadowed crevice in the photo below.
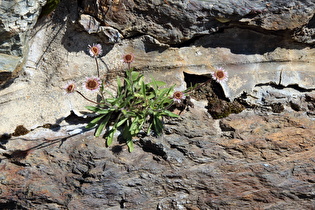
(177, 21)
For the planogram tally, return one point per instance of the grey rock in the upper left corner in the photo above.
(16, 20)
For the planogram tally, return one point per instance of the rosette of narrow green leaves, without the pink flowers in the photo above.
(135, 104)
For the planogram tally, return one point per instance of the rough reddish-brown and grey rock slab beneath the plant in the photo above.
(266, 162)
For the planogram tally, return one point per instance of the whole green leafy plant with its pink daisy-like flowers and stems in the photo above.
(136, 106)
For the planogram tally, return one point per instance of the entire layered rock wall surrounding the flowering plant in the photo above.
(261, 158)
